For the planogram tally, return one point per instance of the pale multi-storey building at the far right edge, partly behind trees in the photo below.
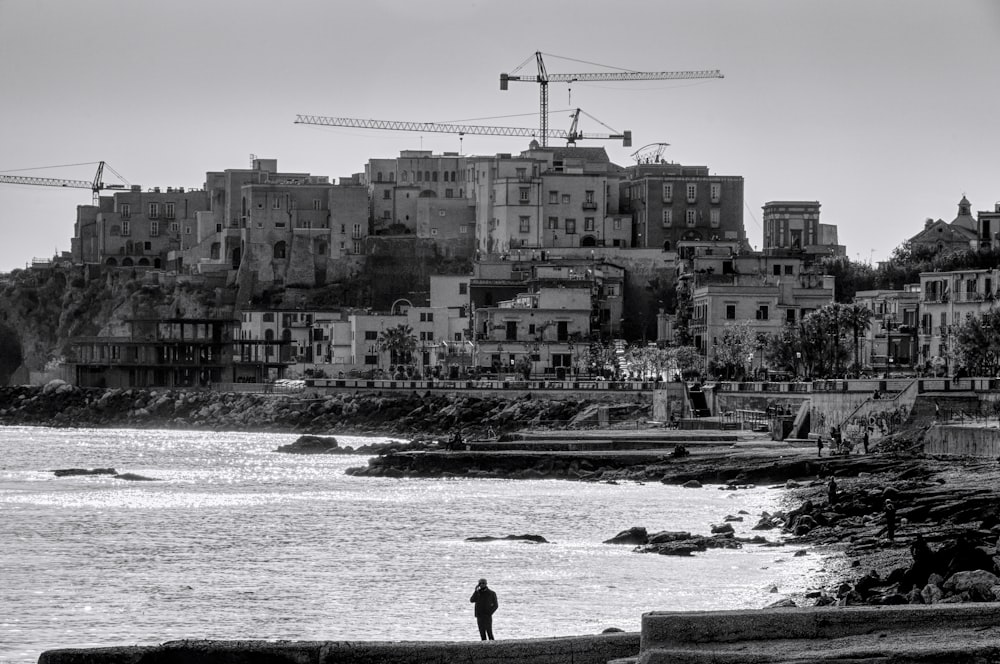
(948, 298)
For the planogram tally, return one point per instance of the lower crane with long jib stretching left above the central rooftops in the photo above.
(571, 136)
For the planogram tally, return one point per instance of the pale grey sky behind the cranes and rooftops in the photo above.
(886, 112)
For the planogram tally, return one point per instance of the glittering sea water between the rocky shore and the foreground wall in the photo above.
(230, 539)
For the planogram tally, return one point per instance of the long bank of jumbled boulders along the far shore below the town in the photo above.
(61, 404)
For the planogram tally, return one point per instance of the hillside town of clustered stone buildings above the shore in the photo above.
(550, 264)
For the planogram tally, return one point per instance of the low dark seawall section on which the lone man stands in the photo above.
(597, 649)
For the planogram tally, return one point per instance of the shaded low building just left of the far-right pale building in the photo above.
(890, 342)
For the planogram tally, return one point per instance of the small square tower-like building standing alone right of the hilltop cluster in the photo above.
(795, 226)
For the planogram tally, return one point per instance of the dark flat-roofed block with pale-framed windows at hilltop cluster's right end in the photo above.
(671, 202)
